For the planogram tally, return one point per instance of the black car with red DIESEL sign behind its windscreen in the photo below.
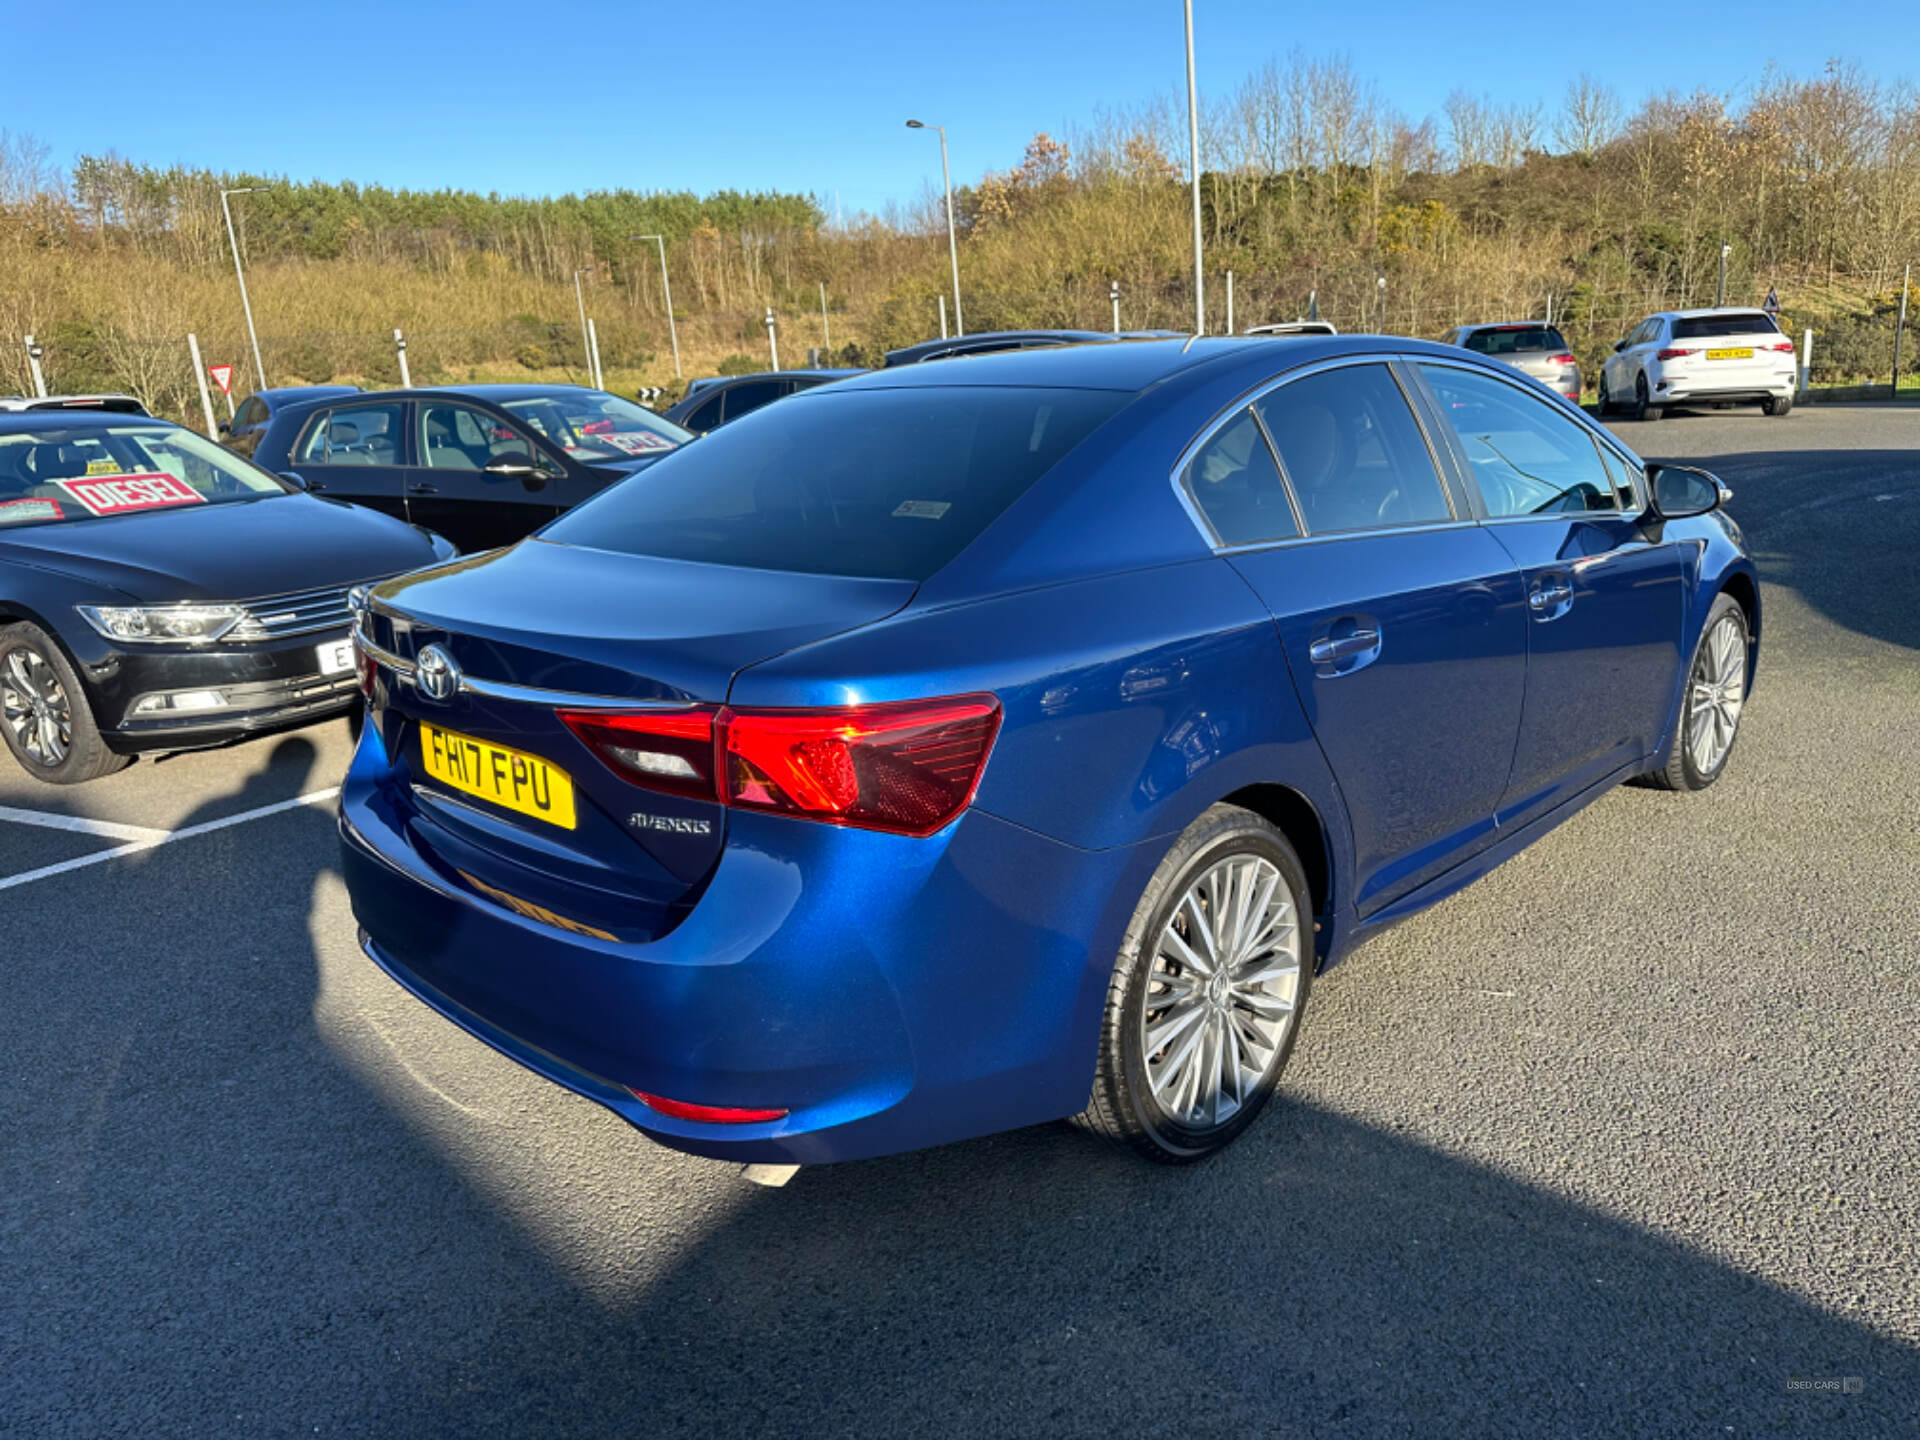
(162, 594)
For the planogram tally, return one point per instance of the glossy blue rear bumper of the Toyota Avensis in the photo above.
(888, 994)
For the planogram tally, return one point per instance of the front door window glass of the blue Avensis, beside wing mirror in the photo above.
(1525, 456)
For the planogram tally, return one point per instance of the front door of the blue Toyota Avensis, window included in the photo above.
(1604, 592)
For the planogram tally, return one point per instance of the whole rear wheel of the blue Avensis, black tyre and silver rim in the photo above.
(1216, 967)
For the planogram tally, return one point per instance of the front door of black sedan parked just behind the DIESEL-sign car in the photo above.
(452, 492)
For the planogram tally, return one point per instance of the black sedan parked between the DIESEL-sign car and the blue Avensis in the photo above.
(481, 466)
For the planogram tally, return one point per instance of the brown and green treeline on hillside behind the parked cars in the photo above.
(1316, 191)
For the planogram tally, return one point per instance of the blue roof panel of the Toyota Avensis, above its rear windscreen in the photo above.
(1130, 364)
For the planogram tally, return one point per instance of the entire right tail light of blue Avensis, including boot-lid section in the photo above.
(905, 767)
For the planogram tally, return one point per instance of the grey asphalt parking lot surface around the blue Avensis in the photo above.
(1620, 1141)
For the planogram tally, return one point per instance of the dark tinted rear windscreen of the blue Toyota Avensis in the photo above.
(859, 483)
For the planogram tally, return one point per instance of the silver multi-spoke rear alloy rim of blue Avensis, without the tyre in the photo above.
(1224, 992)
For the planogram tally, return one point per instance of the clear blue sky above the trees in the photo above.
(585, 95)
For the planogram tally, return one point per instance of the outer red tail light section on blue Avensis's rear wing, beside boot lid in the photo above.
(907, 767)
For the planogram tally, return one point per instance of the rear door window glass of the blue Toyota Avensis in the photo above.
(1353, 452)
